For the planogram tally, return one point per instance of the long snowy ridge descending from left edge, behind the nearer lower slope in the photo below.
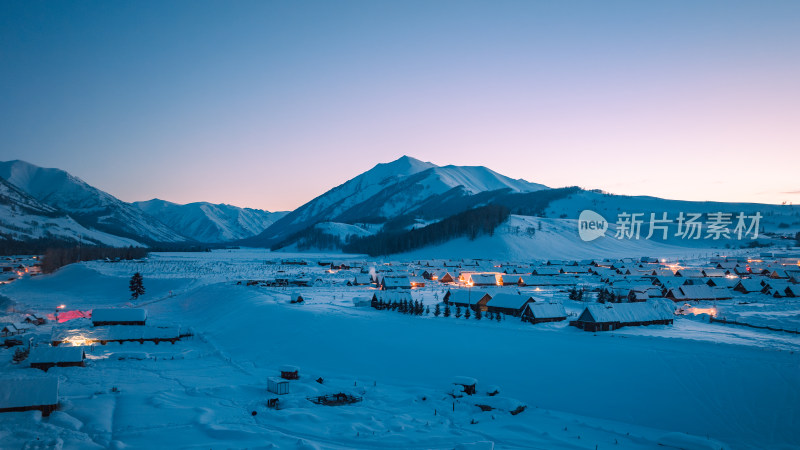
(89, 206)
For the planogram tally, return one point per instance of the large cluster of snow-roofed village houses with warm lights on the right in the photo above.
(608, 293)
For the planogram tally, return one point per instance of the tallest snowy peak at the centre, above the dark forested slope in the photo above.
(390, 190)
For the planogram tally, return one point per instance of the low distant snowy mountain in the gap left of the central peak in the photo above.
(208, 222)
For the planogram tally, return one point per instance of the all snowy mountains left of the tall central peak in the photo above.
(39, 195)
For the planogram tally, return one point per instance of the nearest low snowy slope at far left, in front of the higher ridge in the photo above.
(24, 218)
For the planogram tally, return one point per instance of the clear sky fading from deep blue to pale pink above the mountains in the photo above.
(268, 104)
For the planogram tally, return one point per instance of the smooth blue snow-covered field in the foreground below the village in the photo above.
(690, 385)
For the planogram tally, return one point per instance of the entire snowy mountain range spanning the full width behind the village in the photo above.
(393, 203)
